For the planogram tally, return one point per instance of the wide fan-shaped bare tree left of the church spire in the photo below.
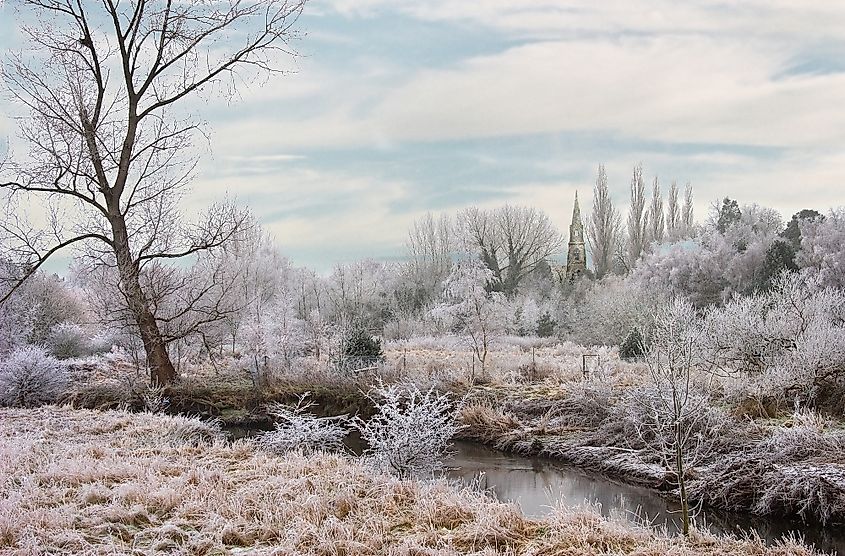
(511, 241)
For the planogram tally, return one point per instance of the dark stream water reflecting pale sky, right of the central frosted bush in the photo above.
(538, 485)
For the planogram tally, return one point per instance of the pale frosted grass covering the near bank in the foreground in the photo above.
(85, 482)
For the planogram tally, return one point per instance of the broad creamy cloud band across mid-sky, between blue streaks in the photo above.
(665, 88)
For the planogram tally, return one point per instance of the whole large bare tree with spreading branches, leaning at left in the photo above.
(109, 141)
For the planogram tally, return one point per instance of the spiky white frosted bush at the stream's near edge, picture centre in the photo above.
(409, 434)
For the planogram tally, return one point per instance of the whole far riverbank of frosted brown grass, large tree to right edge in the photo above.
(766, 461)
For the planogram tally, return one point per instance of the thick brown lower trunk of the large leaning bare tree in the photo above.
(162, 372)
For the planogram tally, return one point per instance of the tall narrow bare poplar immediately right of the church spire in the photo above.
(604, 229)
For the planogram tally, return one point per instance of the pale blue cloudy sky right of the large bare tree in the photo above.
(398, 107)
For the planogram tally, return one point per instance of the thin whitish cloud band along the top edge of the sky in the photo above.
(544, 18)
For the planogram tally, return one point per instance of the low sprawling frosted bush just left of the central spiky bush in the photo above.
(297, 428)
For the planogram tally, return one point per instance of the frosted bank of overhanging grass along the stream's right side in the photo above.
(791, 466)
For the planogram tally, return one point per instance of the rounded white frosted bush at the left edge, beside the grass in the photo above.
(30, 377)
